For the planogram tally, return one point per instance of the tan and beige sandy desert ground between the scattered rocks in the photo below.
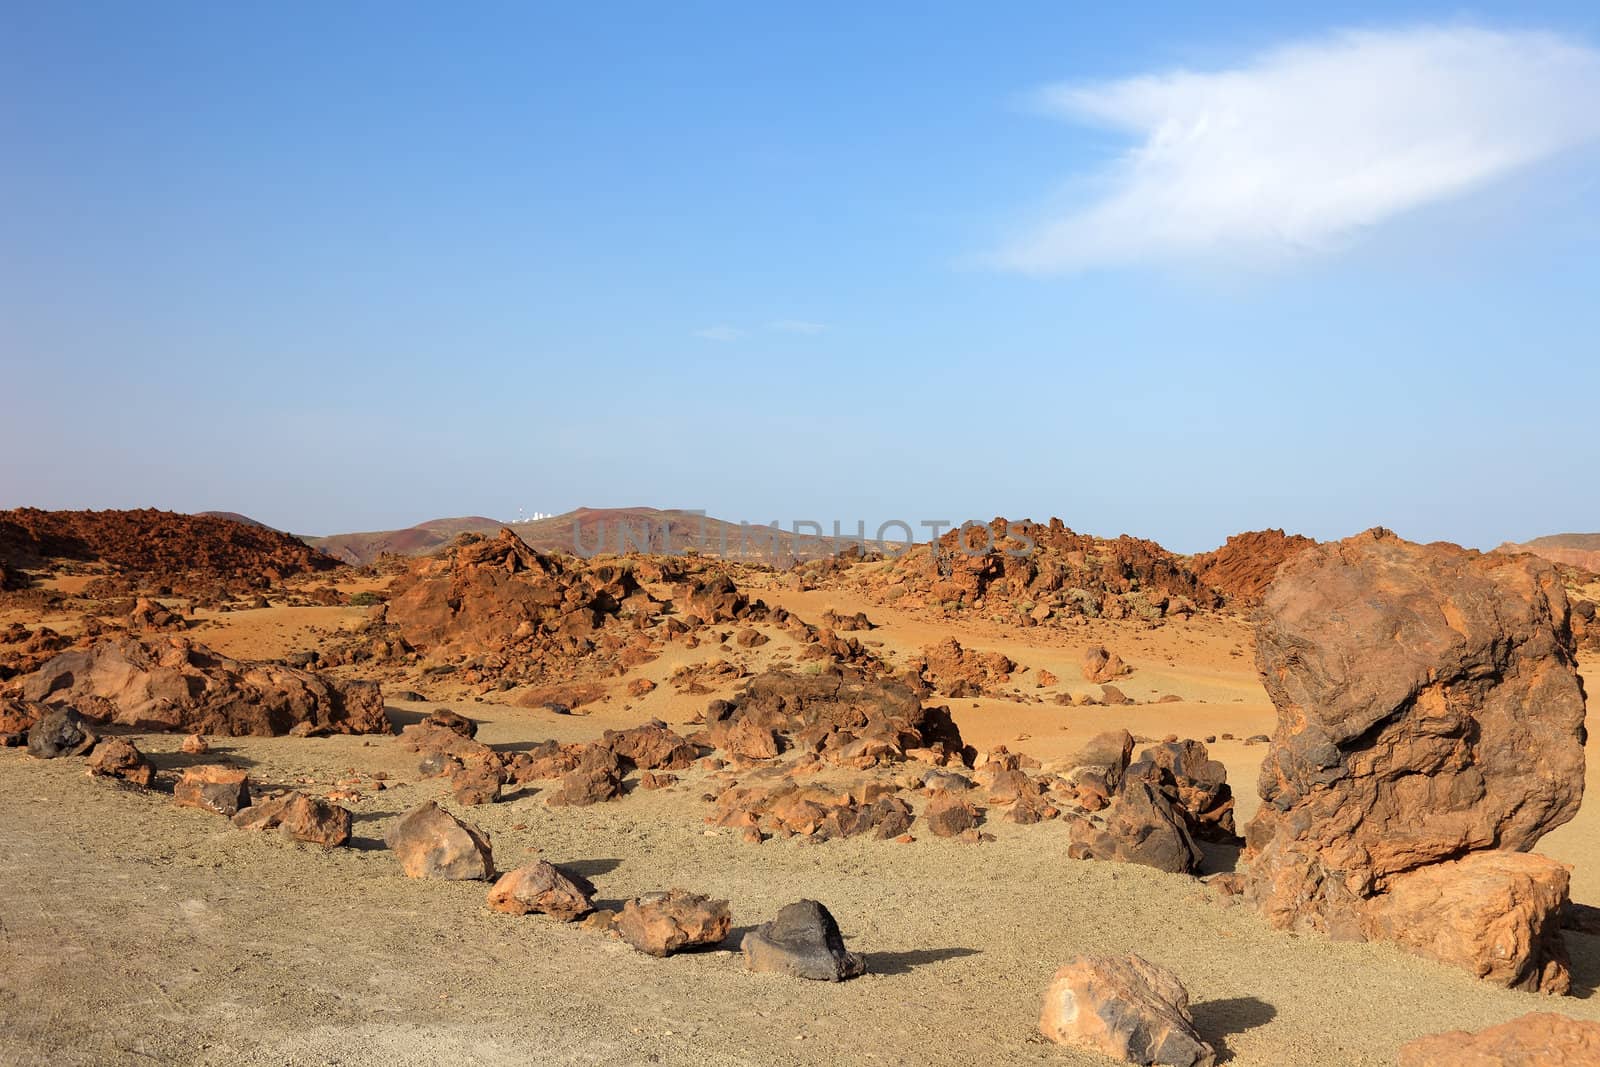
(134, 932)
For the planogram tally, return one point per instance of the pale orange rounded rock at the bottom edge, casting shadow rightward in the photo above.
(1126, 1009)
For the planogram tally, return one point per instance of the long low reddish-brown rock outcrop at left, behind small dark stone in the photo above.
(174, 684)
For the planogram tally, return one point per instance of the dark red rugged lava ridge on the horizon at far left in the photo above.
(178, 549)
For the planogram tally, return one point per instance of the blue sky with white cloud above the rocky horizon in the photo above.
(1177, 271)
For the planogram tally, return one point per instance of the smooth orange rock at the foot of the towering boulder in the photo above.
(1494, 914)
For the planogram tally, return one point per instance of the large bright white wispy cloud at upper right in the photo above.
(1311, 143)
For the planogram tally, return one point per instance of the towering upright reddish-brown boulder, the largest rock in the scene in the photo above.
(1430, 708)
